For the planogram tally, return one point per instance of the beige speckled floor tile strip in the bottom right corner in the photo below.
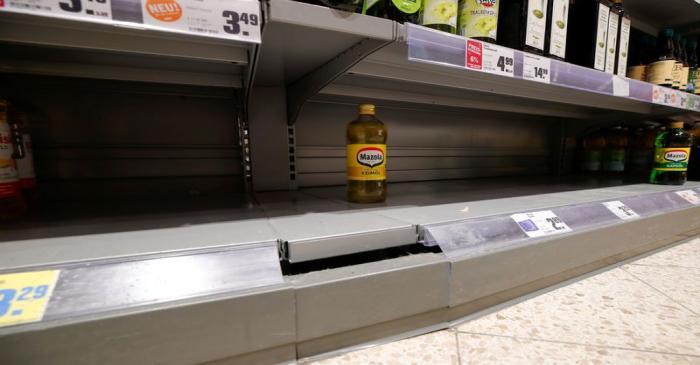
(484, 349)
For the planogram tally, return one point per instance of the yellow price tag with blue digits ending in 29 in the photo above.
(24, 296)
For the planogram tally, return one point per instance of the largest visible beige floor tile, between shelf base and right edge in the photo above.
(610, 309)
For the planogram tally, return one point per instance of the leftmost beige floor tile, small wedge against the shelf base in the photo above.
(432, 348)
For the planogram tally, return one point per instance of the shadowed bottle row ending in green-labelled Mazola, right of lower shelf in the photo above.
(660, 153)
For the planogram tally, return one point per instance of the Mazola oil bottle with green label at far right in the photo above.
(671, 155)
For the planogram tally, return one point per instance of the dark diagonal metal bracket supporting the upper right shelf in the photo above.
(303, 89)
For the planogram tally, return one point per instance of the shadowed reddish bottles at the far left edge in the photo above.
(17, 177)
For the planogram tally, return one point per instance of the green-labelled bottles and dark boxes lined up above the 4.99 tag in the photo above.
(600, 29)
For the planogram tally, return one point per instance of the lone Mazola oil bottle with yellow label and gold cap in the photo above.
(366, 157)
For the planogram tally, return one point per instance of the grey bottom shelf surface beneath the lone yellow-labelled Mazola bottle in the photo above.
(312, 223)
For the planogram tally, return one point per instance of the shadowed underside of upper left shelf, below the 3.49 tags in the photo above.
(51, 46)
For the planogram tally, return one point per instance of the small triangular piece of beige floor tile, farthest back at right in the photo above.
(680, 283)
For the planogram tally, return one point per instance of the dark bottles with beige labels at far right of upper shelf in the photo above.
(672, 62)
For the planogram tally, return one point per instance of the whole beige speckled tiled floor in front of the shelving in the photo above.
(643, 312)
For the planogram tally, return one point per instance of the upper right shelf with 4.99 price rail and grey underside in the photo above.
(427, 67)
